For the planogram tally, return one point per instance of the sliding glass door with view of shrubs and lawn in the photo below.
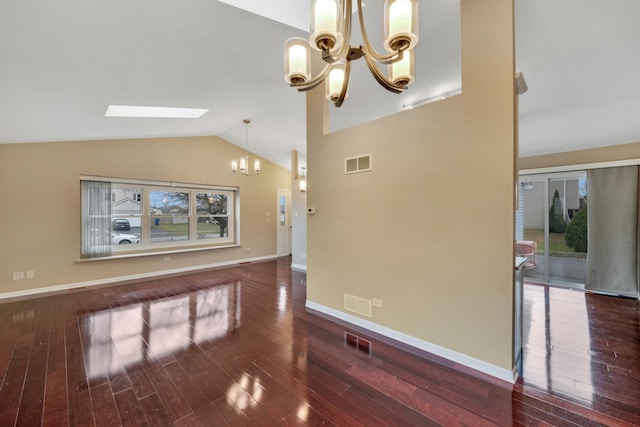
(552, 217)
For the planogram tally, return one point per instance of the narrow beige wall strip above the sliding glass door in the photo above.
(580, 157)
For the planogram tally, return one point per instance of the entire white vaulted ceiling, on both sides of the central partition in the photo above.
(62, 63)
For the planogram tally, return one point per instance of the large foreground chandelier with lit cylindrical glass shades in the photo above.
(331, 35)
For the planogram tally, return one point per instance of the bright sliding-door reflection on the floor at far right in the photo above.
(557, 342)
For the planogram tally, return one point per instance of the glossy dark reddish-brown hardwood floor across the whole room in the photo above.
(236, 346)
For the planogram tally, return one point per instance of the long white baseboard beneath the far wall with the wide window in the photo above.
(113, 280)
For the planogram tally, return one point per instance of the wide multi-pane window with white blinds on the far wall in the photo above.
(146, 217)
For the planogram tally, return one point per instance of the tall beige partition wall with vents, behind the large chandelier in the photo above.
(430, 230)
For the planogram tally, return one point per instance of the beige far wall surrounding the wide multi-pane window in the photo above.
(40, 211)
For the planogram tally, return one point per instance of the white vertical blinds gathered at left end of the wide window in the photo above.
(96, 219)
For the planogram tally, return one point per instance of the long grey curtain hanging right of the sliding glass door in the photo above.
(612, 256)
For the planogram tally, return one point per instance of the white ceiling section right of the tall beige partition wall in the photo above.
(581, 61)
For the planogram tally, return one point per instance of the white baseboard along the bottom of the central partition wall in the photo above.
(467, 361)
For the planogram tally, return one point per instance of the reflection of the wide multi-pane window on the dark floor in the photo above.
(126, 336)
